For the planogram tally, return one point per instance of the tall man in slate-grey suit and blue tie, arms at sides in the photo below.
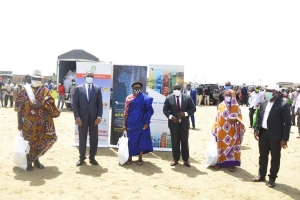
(87, 107)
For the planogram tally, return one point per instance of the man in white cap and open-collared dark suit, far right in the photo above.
(272, 131)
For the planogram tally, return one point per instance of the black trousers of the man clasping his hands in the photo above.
(180, 136)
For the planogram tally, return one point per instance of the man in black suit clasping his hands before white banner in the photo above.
(177, 108)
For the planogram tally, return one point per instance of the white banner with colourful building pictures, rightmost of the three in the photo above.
(161, 80)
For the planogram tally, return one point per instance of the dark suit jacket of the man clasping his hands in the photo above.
(170, 108)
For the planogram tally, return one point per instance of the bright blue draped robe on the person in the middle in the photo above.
(139, 110)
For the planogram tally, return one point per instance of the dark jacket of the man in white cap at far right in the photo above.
(279, 120)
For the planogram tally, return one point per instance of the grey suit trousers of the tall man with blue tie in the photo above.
(93, 132)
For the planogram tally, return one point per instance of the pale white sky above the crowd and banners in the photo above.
(241, 41)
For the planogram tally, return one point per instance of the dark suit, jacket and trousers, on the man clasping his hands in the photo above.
(179, 131)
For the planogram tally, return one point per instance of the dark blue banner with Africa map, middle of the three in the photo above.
(123, 77)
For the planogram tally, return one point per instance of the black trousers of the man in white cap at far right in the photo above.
(266, 145)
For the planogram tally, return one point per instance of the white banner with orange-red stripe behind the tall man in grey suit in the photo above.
(102, 78)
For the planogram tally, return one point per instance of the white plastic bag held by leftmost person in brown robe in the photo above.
(20, 151)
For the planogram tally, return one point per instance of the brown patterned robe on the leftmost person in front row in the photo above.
(37, 123)
